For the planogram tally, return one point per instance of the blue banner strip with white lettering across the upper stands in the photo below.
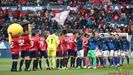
(61, 7)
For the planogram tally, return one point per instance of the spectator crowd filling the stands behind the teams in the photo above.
(91, 15)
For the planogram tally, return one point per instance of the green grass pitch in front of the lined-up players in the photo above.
(5, 65)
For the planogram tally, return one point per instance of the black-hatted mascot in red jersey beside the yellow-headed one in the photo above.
(25, 44)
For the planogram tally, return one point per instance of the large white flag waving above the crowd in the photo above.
(61, 17)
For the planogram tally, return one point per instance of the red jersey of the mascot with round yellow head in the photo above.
(14, 47)
